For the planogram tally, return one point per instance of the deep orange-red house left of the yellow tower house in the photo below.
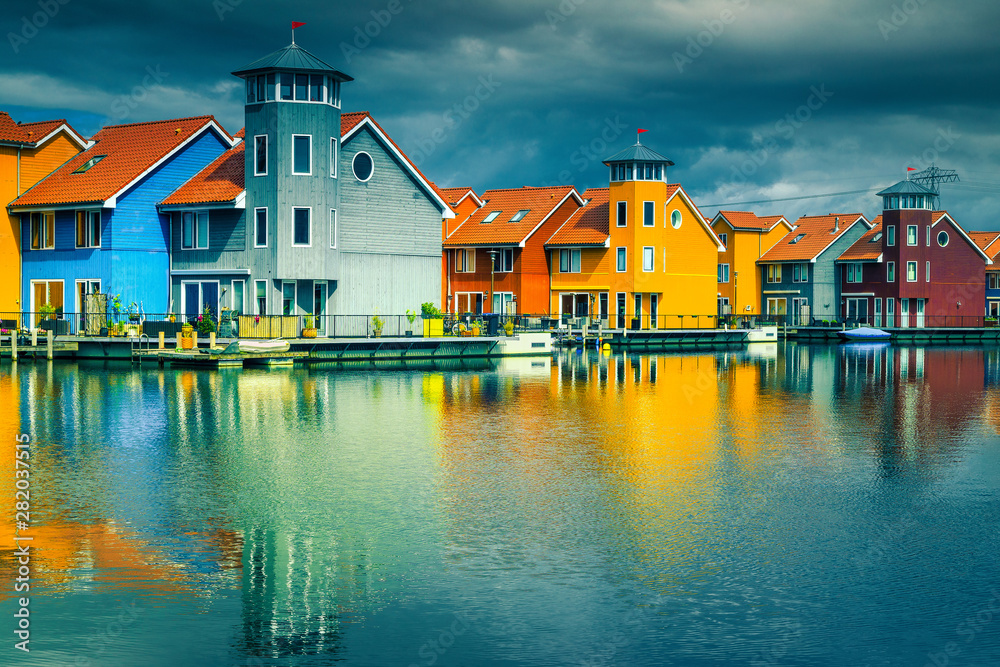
(496, 260)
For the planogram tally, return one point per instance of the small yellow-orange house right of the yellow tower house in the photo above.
(746, 238)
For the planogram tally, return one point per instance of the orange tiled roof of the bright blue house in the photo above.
(130, 152)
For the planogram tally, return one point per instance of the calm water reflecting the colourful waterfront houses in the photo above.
(787, 505)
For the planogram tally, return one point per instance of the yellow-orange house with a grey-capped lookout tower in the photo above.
(658, 266)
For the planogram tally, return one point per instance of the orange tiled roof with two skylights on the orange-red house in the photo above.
(539, 202)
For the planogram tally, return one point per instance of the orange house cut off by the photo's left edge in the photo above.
(28, 153)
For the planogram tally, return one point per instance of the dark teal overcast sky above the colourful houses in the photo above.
(752, 99)
